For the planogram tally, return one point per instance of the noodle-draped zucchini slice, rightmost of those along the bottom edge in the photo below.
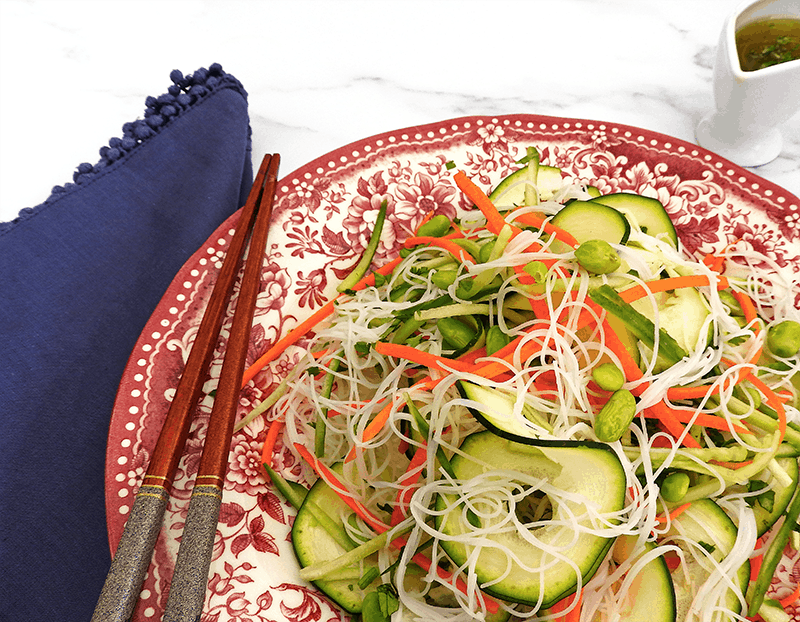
(706, 524)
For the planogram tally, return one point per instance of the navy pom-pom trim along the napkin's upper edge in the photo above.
(184, 93)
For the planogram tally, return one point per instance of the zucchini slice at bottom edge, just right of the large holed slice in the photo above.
(650, 596)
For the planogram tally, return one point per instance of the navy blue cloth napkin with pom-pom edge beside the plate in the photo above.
(79, 277)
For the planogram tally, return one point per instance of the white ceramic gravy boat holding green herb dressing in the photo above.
(750, 105)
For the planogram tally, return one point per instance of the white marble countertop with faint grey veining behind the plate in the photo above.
(321, 74)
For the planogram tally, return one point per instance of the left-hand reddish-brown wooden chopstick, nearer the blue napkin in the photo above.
(134, 551)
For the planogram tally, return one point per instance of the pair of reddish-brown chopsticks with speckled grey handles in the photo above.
(134, 552)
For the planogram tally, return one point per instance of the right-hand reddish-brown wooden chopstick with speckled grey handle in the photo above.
(189, 581)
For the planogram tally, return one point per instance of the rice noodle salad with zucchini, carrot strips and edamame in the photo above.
(545, 409)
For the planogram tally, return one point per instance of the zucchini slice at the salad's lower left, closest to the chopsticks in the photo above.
(313, 545)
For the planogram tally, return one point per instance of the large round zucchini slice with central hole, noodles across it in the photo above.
(584, 470)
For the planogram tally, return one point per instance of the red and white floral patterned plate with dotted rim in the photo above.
(322, 220)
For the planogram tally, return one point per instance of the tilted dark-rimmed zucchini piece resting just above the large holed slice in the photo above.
(495, 410)
